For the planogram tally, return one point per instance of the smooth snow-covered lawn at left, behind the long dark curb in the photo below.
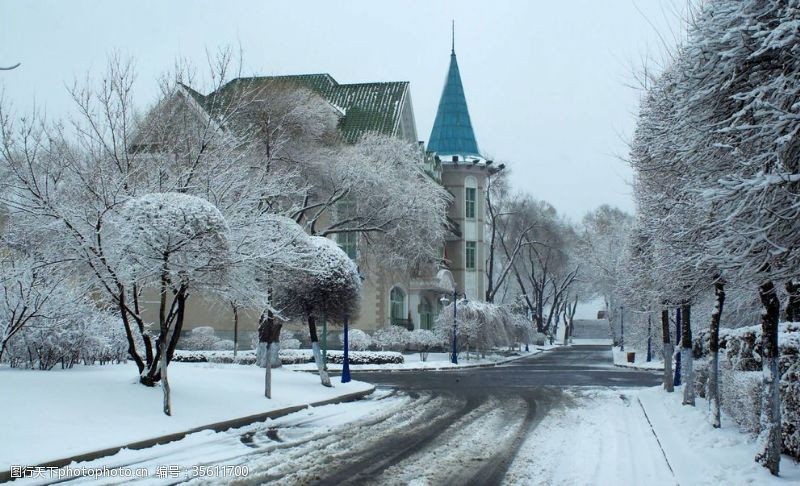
(69, 412)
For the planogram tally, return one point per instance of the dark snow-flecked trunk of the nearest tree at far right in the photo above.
(770, 437)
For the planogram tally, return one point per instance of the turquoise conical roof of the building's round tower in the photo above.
(452, 130)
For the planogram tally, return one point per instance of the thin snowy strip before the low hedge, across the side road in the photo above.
(435, 361)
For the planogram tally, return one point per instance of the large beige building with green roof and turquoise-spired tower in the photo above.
(392, 296)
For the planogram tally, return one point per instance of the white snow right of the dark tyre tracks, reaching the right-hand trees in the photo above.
(607, 439)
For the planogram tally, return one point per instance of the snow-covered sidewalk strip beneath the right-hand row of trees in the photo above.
(699, 454)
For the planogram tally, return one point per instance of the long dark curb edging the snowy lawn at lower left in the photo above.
(5, 475)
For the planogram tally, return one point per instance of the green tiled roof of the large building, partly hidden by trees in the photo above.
(367, 107)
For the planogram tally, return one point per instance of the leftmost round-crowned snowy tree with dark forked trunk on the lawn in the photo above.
(176, 244)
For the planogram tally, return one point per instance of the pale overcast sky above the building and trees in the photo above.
(547, 82)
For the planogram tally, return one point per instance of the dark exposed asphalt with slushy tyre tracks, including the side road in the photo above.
(462, 427)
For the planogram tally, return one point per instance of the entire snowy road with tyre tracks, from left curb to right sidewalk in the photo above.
(464, 428)
